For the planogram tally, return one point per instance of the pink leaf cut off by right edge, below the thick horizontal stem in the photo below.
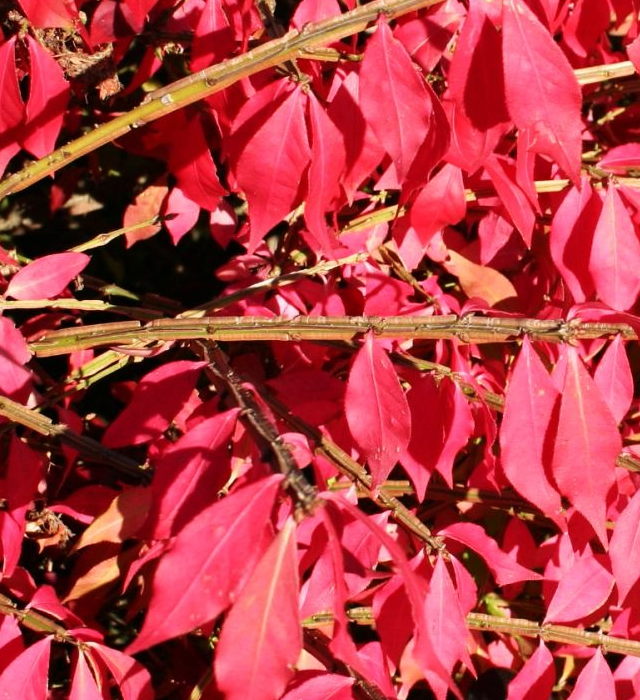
(626, 539)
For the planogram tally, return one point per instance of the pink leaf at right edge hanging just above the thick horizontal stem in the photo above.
(615, 254)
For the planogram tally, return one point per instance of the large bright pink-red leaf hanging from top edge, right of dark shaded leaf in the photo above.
(543, 95)
